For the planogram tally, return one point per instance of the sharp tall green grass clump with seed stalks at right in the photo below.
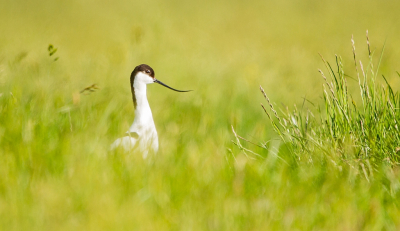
(364, 134)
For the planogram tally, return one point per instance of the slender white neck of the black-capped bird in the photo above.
(143, 116)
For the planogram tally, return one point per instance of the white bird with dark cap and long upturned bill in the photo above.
(142, 134)
